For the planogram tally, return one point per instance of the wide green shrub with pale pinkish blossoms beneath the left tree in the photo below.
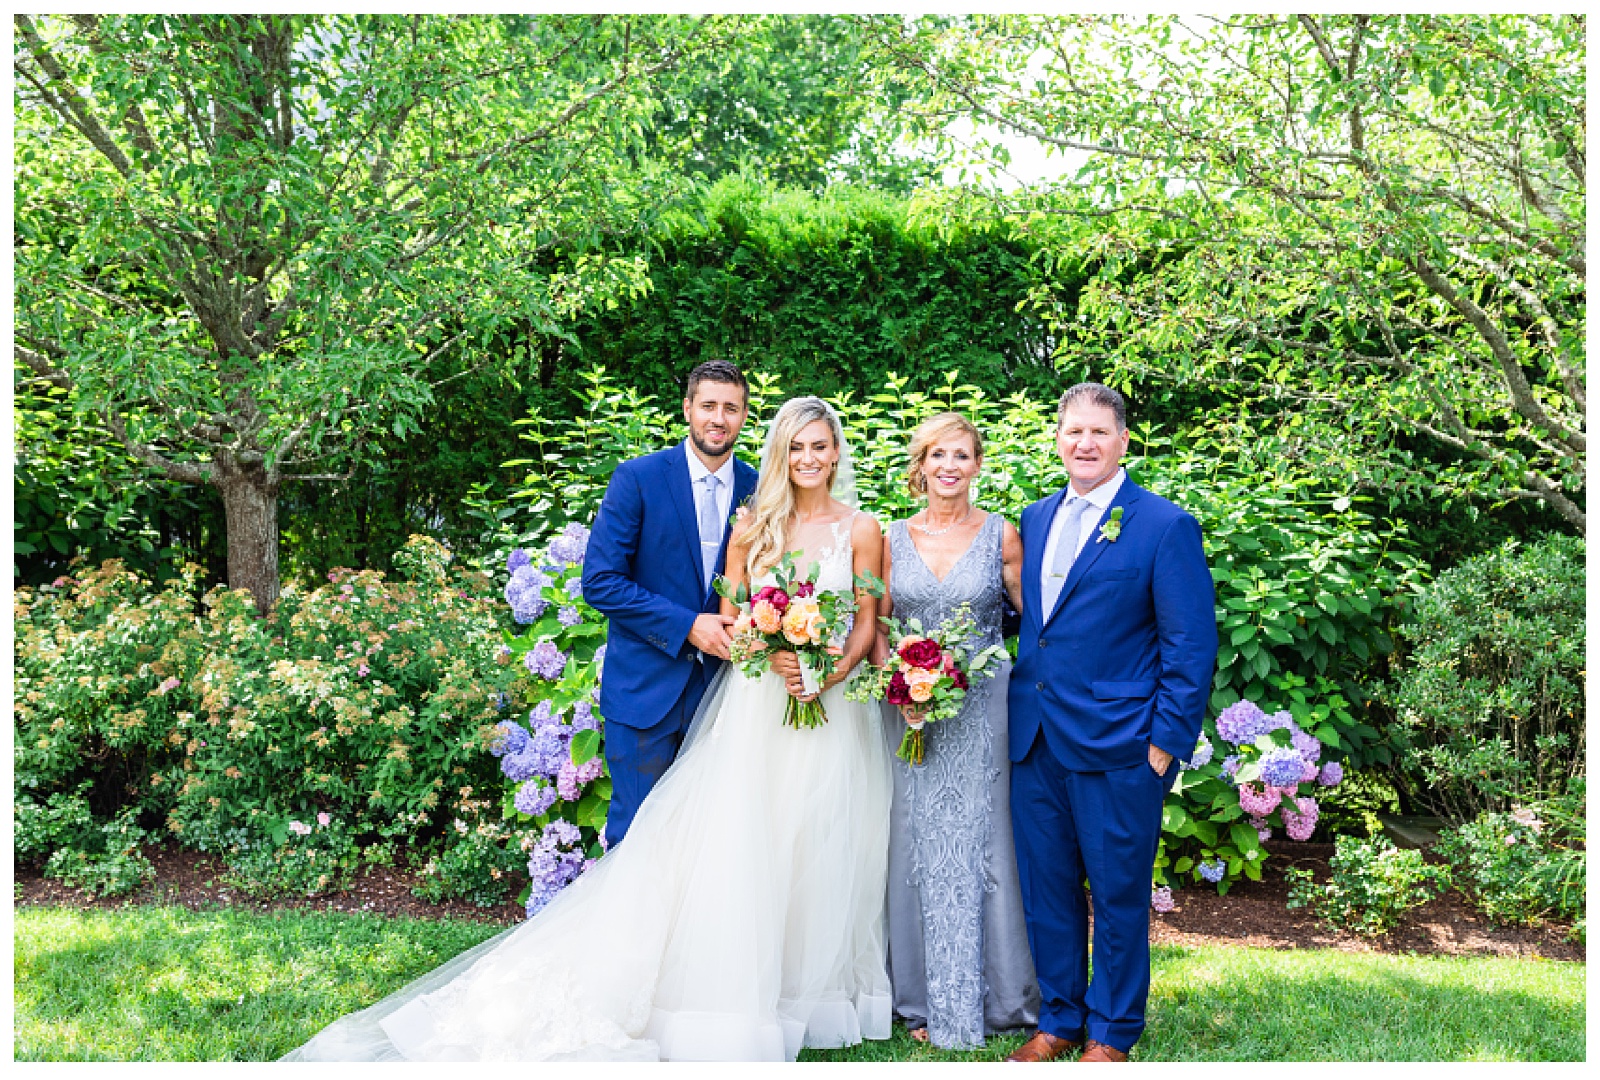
(364, 698)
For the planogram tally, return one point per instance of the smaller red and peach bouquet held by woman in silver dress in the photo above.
(927, 671)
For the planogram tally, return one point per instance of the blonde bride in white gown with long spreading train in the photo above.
(743, 918)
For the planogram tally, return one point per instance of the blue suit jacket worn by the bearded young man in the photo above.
(644, 574)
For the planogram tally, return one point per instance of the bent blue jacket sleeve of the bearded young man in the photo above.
(609, 572)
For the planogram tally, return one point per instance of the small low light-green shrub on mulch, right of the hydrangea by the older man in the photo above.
(1374, 886)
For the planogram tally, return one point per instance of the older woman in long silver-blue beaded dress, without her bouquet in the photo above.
(959, 959)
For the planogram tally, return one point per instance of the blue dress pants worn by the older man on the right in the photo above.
(1102, 828)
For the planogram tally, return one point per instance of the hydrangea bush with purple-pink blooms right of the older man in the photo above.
(1252, 777)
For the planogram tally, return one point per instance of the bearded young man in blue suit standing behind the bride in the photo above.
(658, 542)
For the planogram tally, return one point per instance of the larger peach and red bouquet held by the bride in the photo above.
(794, 617)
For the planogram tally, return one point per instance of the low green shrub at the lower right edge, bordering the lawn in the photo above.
(1521, 866)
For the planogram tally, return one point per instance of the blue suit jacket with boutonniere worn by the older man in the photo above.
(1127, 657)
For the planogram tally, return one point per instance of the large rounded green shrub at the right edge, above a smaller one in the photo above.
(1490, 695)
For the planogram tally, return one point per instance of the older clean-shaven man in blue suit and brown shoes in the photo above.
(1110, 689)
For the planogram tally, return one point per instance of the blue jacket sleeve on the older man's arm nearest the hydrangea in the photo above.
(1186, 630)
